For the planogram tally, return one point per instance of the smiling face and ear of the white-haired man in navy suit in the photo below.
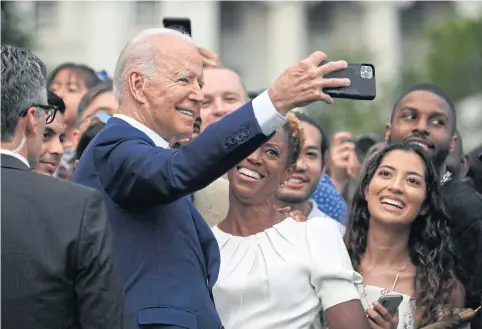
(171, 100)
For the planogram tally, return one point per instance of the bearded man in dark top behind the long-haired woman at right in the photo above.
(425, 116)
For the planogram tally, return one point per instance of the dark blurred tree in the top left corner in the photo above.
(12, 33)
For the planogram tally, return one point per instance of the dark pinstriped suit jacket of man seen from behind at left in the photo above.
(57, 258)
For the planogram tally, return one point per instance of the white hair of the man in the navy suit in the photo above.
(139, 53)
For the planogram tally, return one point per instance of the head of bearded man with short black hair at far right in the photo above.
(425, 119)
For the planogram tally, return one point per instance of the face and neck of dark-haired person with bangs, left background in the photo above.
(70, 87)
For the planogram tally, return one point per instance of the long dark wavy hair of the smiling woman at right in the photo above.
(430, 246)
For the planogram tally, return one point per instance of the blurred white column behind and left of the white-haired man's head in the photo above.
(106, 30)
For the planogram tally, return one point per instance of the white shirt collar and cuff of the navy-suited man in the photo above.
(268, 118)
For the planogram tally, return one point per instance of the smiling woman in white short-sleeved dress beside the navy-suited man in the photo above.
(276, 272)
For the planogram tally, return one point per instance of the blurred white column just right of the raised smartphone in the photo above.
(382, 35)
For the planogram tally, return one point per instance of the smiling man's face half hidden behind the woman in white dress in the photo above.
(309, 168)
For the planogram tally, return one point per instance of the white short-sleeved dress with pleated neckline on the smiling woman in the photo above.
(281, 277)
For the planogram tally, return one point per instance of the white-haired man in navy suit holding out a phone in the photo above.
(168, 257)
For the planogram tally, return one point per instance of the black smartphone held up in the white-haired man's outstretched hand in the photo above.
(363, 82)
